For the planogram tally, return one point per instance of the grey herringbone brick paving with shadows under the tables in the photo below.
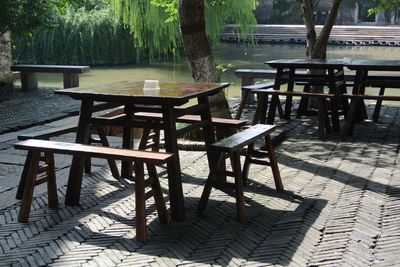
(341, 207)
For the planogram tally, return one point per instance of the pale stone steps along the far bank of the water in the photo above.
(340, 35)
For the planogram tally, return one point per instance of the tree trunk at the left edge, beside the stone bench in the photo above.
(6, 81)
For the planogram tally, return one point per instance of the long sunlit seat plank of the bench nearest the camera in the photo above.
(93, 151)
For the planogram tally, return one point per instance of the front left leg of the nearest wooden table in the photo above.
(76, 171)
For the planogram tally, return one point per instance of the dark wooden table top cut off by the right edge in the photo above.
(373, 64)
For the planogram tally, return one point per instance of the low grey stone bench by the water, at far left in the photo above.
(29, 80)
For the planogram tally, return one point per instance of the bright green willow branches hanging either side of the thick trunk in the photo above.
(155, 25)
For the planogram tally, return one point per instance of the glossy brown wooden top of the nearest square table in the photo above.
(176, 93)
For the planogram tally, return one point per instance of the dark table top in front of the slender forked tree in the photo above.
(306, 63)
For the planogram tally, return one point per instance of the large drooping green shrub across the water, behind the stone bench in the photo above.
(80, 37)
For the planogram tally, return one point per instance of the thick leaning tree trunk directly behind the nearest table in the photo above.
(198, 52)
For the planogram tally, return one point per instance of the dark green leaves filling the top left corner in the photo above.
(24, 15)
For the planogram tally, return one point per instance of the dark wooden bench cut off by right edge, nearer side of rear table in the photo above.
(355, 105)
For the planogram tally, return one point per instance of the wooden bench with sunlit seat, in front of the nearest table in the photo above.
(35, 147)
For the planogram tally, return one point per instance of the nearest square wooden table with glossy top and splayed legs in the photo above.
(167, 100)
